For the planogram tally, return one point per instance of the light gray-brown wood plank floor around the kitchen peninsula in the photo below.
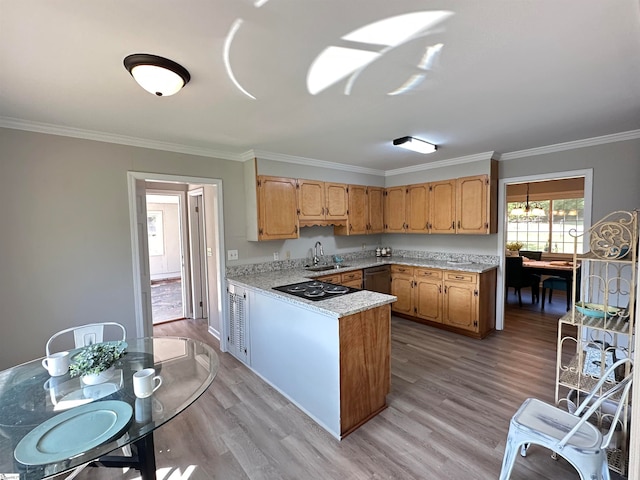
(447, 418)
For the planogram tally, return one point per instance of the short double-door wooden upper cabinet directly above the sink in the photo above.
(322, 203)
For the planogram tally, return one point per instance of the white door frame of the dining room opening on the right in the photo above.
(502, 221)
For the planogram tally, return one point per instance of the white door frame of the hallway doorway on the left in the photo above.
(143, 320)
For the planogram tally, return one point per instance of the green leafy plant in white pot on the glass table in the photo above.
(95, 363)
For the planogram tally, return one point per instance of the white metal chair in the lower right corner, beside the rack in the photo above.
(570, 435)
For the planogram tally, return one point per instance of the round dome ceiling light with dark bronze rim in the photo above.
(157, 75)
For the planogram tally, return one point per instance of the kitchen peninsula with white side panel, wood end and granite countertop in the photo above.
(332, 357)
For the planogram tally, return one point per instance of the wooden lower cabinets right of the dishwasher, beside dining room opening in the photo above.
(463, 302)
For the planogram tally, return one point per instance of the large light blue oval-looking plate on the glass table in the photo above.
(73, 432)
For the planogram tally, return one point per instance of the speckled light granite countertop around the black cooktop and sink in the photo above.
(349, 304)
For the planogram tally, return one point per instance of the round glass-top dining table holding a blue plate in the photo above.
(39, 436)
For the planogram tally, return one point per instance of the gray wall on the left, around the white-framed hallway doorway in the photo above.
(65, 243)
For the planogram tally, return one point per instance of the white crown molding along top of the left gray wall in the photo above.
(17, 124)
